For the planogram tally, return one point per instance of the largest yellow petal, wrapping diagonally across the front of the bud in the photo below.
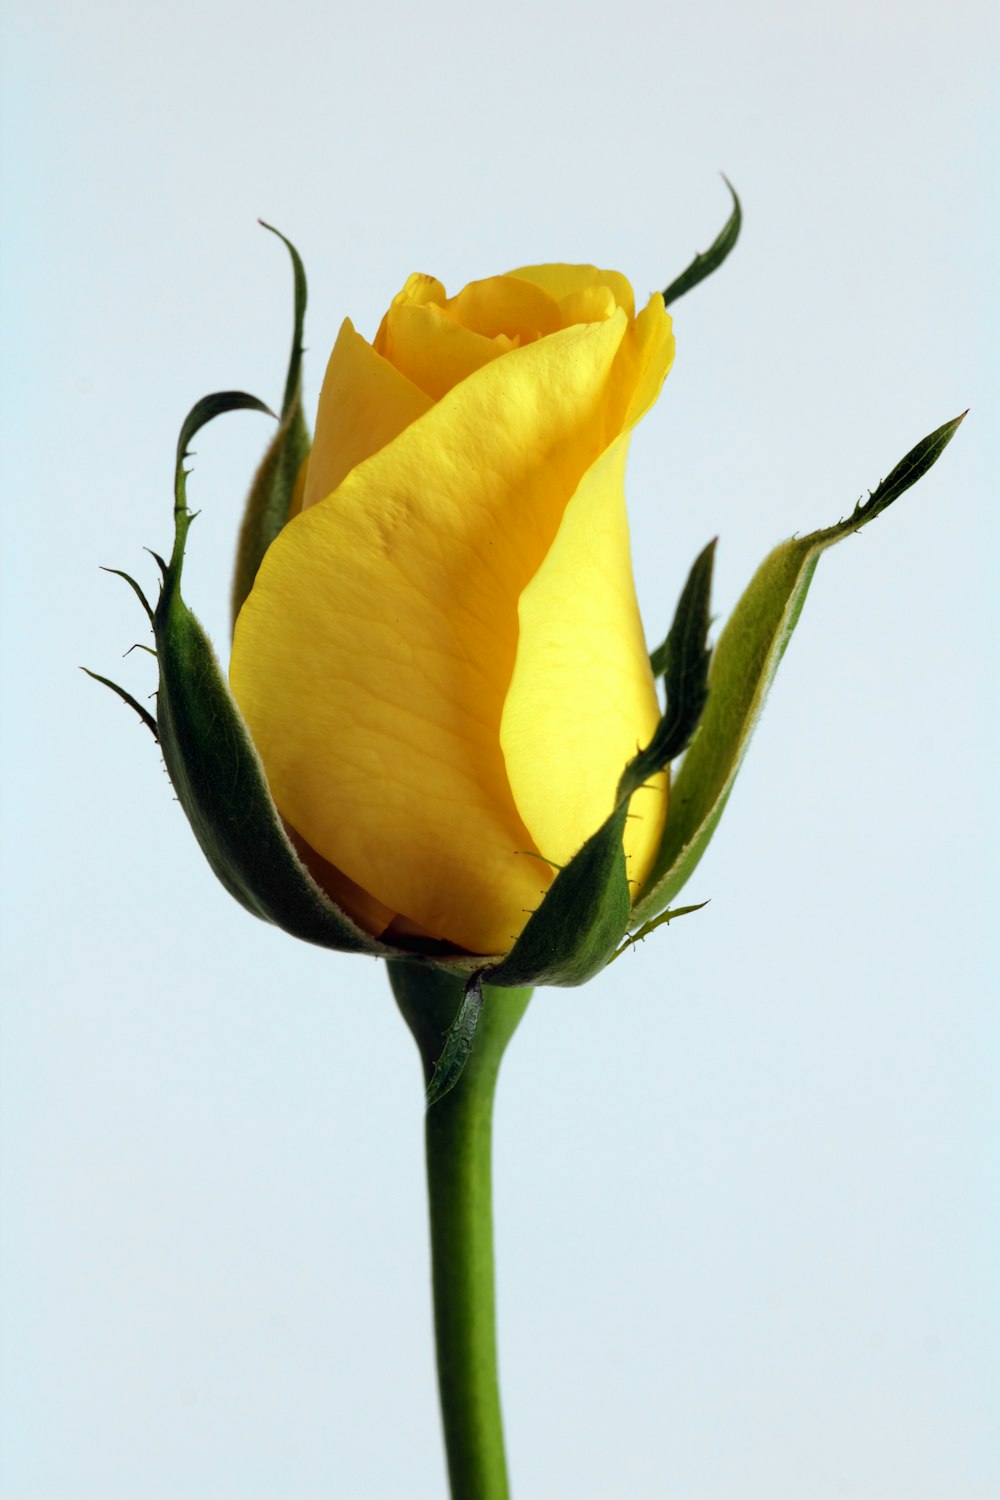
(374, 655)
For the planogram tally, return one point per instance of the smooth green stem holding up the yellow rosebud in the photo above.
(460, 1183)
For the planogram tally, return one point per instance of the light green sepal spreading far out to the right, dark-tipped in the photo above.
(744, 665)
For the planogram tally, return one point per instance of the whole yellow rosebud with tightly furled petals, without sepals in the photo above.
(442, 661)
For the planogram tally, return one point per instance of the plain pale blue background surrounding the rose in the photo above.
(747, 1180)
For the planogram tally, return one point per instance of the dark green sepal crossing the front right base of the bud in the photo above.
(587, 910)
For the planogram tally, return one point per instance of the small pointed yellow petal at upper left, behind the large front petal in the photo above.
(364, 406)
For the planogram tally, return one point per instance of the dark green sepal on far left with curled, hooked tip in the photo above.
(212, 761)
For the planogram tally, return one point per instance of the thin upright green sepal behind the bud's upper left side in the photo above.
(274, 487)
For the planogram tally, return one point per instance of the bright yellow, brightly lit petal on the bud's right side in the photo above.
(582, 697)
